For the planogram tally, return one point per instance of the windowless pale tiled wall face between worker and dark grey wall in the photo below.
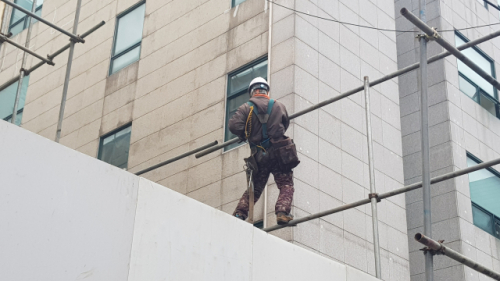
(330, 59)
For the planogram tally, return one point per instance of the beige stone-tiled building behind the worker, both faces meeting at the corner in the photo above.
(176, 98)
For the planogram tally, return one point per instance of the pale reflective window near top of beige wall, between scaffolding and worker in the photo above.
(128, 38)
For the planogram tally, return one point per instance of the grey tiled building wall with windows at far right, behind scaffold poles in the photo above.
(457, 125)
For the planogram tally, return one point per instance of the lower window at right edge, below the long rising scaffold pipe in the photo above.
(485, 194)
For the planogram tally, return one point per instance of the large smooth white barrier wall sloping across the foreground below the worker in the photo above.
(67, 216)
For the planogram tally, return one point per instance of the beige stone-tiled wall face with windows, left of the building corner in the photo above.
(174, 96)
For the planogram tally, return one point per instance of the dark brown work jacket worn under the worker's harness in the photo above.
(276, 125)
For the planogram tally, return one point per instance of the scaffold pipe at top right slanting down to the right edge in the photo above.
(433, 35)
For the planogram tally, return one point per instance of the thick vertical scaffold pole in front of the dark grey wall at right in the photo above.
(426, 182)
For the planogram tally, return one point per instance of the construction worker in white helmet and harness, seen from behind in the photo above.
(263, 123)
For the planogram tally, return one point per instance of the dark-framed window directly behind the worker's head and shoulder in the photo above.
(237, 87)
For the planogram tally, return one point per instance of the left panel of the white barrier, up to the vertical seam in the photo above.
(63, 215)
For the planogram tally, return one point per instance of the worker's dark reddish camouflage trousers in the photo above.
(284, 181)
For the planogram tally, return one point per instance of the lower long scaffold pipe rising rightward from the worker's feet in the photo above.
(387, 194)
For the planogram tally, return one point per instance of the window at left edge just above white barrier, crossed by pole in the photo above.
(8, 98)
